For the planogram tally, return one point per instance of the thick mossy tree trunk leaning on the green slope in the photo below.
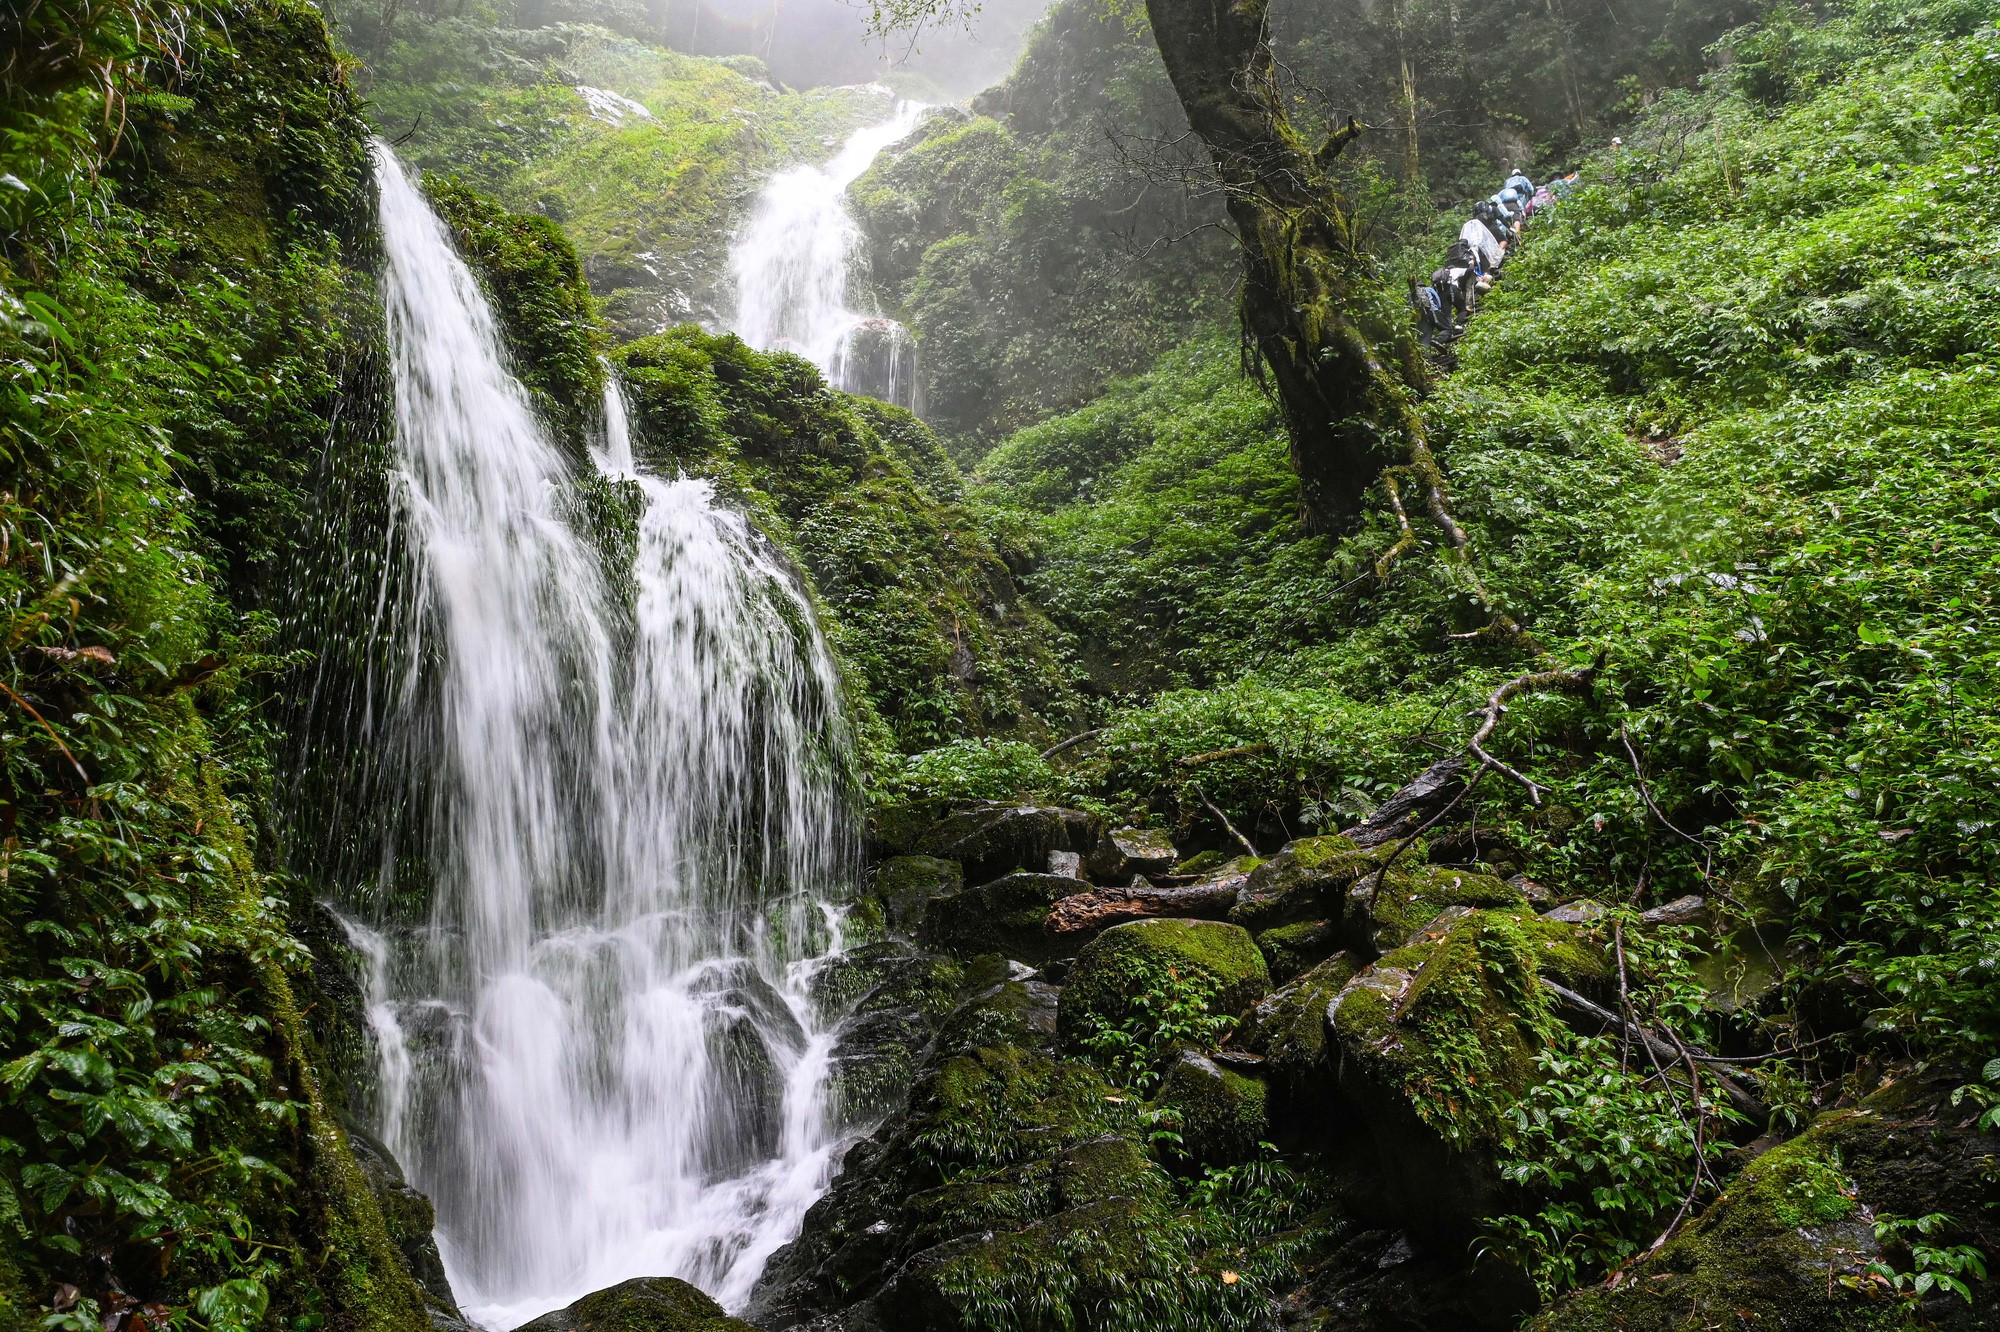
(1337, 345)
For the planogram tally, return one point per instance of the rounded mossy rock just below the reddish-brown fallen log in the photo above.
(1143, 957)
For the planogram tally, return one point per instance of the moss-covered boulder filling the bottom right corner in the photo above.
(1791, 1243)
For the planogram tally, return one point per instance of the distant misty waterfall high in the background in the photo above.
(793, 263)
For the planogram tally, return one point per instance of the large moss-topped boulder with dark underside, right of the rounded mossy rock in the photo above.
(1435, 1041)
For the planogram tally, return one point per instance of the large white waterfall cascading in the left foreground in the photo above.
(597, 1055)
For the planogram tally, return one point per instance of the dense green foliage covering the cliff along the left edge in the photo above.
(173, 327)
